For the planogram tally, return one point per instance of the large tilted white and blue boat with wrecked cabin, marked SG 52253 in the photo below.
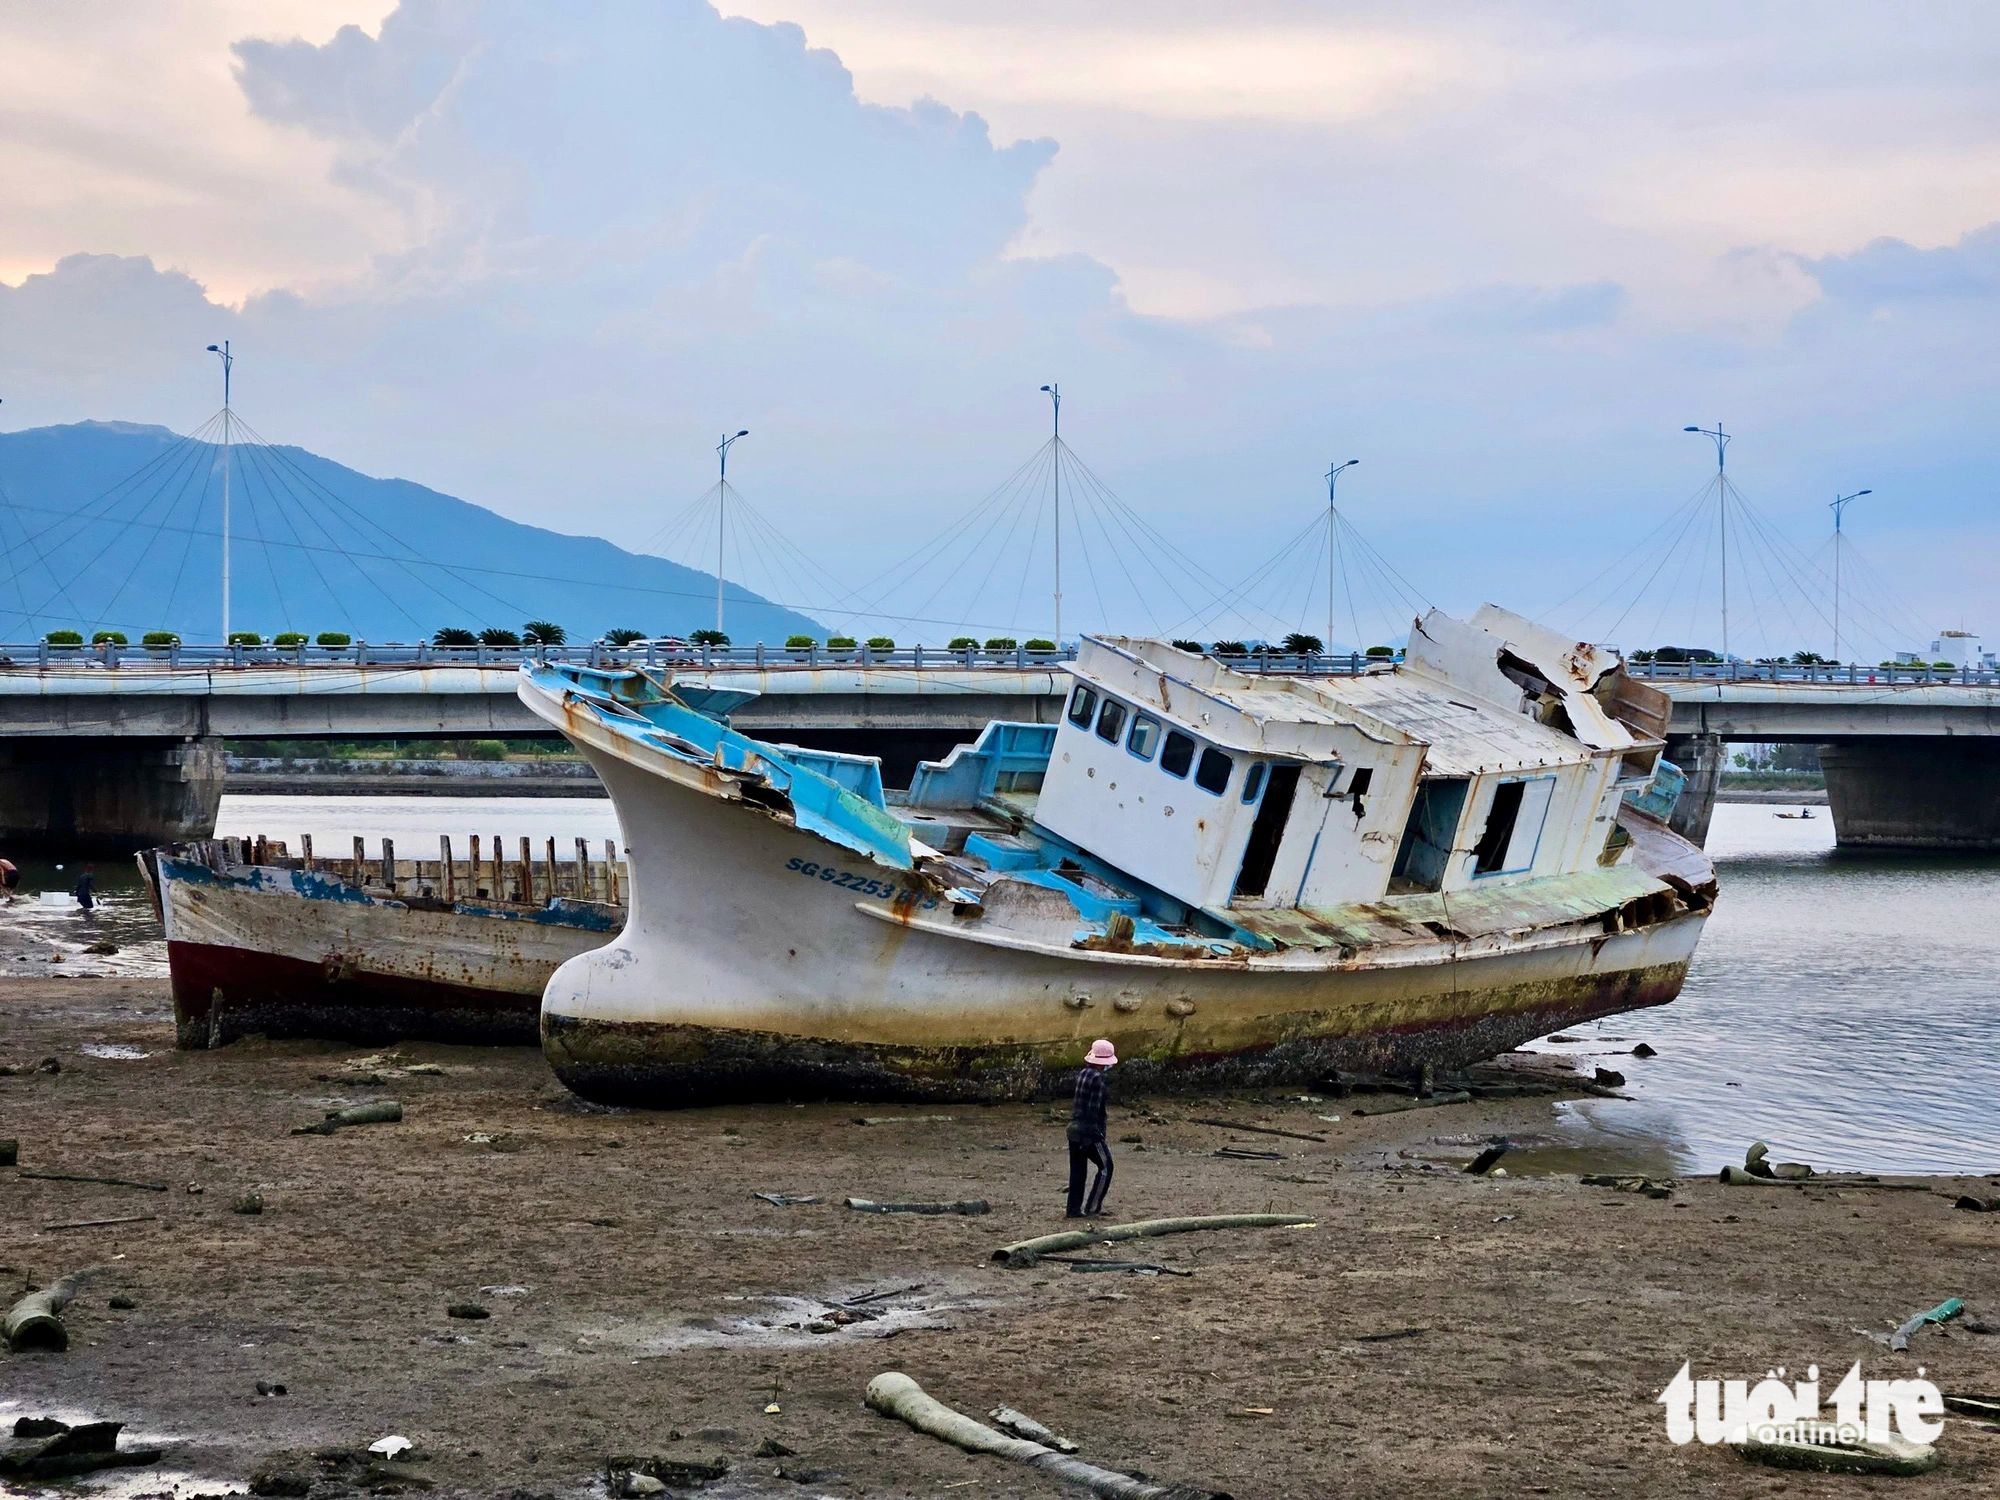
(1235, 877)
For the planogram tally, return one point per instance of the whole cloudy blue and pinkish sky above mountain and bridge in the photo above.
(1501, 253)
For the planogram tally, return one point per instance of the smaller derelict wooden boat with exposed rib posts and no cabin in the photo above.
(373, 949)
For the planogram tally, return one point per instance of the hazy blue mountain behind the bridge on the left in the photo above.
(119, 527)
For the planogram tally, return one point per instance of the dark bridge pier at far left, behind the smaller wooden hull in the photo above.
(107, 795)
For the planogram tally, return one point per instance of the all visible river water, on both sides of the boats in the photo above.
(1841, 1007)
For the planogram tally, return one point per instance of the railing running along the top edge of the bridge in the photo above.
(667, 655)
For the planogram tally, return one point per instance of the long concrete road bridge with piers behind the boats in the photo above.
(123, 749)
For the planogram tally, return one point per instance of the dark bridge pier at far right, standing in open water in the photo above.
(1939, 793)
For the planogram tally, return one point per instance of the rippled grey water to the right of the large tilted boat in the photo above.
(1841, 1007)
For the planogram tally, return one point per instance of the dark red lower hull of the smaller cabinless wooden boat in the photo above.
(227, 993)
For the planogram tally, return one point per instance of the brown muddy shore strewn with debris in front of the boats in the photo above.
(645, 1303)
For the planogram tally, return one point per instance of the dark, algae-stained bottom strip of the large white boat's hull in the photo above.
(659, 1065)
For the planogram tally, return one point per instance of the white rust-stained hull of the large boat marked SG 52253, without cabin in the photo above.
(767, 959)
